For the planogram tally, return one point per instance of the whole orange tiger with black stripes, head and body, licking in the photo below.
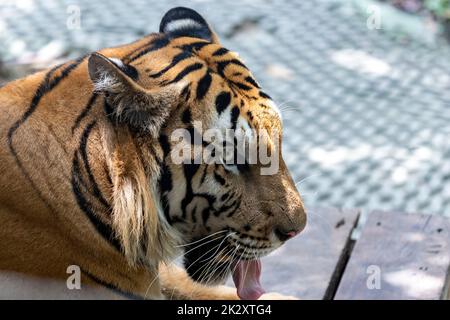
(88, 177)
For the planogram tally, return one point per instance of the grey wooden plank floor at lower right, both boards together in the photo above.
(397, 256)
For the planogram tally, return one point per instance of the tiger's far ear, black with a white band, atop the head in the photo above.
(185, 22)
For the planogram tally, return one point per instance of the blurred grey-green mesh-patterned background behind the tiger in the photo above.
(364, 85)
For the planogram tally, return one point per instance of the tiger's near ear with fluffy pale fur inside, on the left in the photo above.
(128, 102)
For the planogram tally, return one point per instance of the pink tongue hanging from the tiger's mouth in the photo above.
(246, 279)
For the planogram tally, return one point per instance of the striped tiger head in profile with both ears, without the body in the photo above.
(180, 88)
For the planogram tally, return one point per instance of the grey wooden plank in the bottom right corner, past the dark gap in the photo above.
(410, 253)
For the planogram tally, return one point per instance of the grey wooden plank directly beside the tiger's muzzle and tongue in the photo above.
(309, 266)
